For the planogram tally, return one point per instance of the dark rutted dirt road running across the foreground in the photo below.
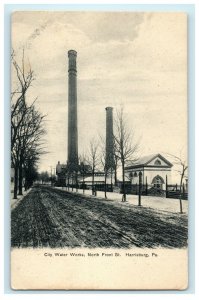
(47, 217)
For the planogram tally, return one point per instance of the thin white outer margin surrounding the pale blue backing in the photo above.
(99, 295)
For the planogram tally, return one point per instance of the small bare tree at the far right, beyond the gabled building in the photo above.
(182, 168)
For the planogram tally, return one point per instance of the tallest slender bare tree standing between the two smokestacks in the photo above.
(93, 159)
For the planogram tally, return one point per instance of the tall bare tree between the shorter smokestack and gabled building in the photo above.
(126, 146)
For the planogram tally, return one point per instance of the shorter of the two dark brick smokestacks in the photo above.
(109, 139)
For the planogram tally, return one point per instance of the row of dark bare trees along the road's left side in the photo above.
(27, 127)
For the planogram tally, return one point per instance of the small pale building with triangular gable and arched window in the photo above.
(154, 169)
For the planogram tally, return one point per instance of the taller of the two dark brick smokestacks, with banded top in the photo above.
(72, 110)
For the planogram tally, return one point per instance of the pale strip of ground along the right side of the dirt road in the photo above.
(160, 203)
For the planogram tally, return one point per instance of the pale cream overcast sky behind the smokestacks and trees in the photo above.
(135, 59)
